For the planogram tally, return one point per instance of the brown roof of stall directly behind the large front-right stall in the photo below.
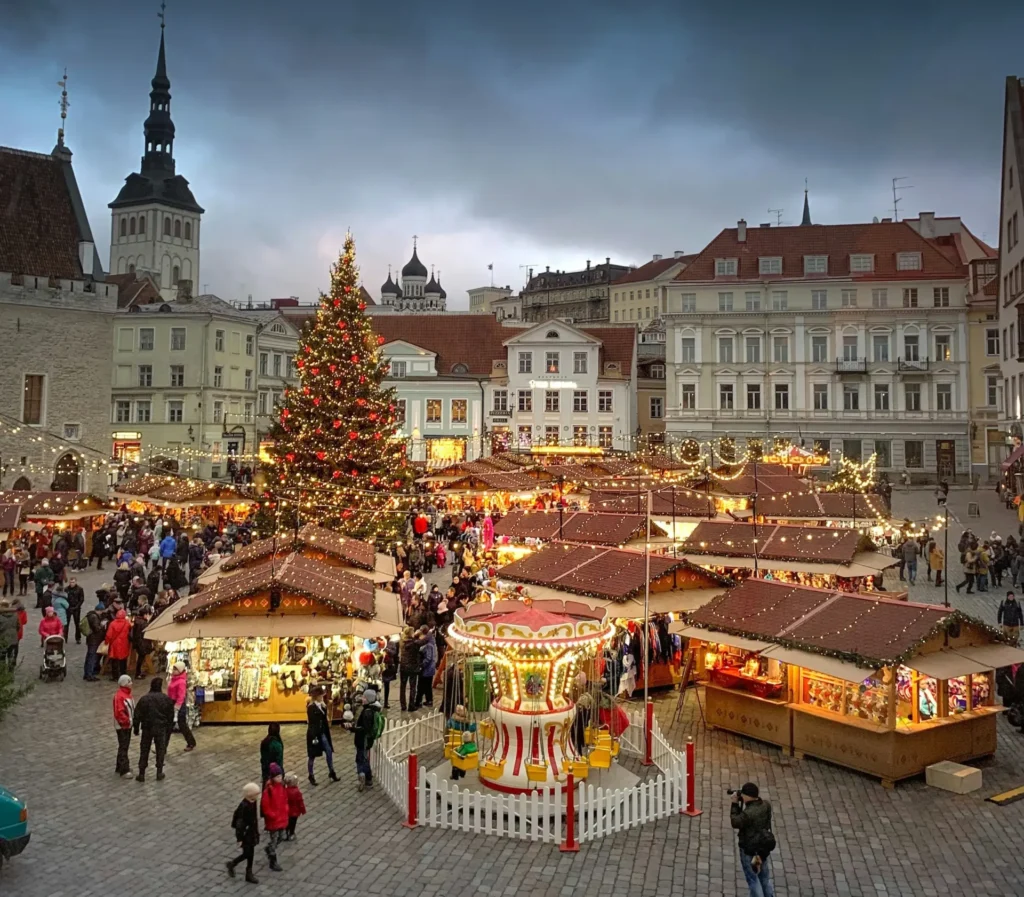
(775, 543)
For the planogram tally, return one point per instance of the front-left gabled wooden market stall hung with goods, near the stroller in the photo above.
(258, 640)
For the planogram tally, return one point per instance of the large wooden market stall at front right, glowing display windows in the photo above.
(885, 688)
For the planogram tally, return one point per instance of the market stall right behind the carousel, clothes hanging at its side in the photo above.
(616, 579)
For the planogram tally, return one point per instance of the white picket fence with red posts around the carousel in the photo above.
(537, 816)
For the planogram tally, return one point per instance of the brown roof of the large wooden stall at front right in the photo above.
(879, 630)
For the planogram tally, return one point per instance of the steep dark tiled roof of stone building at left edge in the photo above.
(39, 232)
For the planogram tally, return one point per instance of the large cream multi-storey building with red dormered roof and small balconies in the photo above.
(849, 337)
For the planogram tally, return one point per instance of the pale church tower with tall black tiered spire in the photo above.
(155, 222)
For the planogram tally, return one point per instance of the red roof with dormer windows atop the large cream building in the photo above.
(838, 242)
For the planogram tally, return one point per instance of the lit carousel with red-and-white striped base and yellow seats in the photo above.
(547, 712)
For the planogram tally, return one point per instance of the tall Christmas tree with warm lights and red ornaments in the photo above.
(334, 446)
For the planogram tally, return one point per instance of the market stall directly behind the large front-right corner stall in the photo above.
(823, 559)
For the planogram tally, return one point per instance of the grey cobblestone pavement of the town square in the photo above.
(840, 833)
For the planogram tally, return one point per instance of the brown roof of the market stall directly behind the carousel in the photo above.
(606, 573)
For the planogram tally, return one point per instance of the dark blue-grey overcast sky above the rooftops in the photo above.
(541, 133)
